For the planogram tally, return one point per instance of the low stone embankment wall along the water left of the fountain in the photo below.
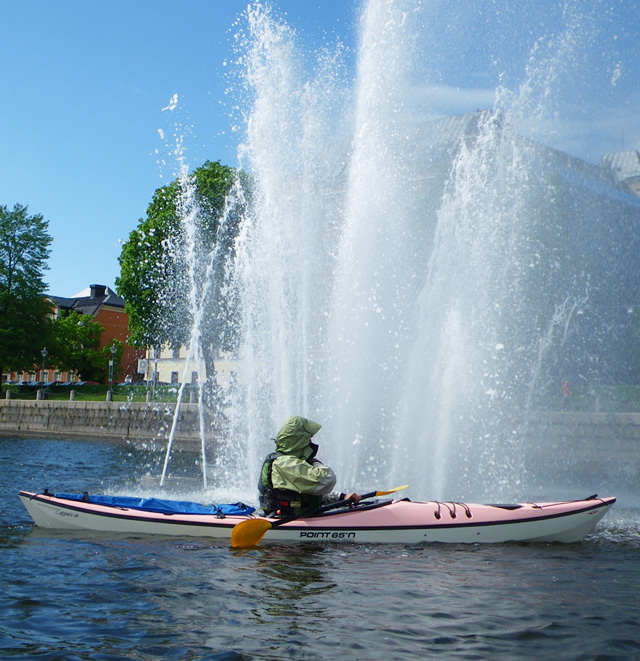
(126, 421)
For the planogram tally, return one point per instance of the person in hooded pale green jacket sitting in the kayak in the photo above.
(292, 480)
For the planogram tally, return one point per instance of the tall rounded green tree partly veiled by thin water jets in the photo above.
(154, 262)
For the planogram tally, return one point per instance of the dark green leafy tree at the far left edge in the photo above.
(24, 250)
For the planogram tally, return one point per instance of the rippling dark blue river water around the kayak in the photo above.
(108, 596)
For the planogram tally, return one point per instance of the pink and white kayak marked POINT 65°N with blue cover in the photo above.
(390, 521)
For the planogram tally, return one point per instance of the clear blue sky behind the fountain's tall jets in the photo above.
(84, 84)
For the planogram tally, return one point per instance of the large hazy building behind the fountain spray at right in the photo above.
(584, 222)
